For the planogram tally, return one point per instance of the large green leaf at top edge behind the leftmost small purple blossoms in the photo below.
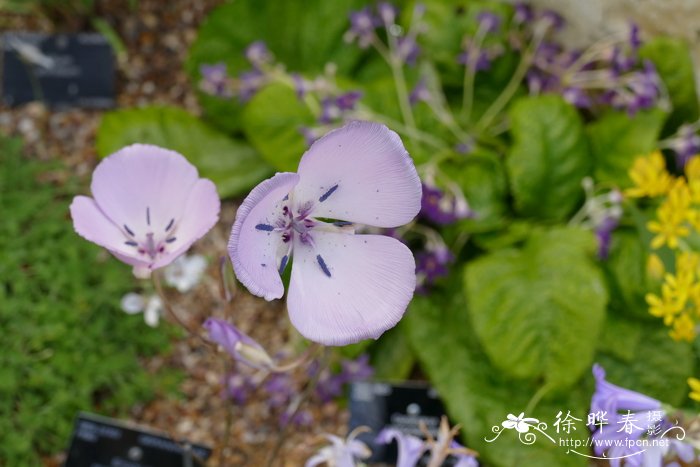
(304, 35)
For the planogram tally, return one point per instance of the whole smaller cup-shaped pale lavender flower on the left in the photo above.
(149, 206)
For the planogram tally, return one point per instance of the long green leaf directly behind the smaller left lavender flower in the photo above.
(232, 165)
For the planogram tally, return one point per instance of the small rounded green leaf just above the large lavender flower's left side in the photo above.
(272, 122)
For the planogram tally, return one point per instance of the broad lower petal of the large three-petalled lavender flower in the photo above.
(346, 288)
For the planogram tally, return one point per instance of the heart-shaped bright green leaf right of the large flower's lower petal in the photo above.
(538, 310)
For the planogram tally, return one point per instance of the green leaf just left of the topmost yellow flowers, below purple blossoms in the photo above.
(616, 139)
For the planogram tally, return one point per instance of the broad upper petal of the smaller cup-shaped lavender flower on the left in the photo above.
(143, 186)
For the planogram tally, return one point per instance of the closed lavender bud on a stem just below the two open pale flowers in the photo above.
(237, 344)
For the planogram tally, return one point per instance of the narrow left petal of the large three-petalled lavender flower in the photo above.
(254, 252)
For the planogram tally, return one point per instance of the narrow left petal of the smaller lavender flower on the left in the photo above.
(92, 224)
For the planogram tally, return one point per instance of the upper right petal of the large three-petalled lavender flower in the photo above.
(360, 173)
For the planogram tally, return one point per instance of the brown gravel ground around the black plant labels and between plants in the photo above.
(157, 35)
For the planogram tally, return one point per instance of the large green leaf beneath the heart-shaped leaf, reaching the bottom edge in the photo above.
(477, 395)
